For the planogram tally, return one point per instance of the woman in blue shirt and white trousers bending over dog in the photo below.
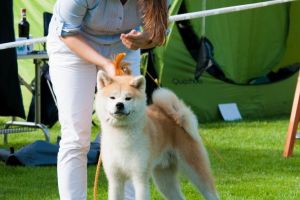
(84, 35)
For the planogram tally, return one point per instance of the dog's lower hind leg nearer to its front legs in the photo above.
(166, 181)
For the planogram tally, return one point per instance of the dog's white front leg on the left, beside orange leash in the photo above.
(115, 189)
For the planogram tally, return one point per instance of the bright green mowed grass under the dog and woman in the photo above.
(246, 159)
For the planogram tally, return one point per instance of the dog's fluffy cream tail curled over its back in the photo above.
(176, 109)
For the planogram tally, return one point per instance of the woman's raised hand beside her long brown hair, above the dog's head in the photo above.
(137, 40)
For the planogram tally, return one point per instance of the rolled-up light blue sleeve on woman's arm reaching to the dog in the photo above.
(70, 14)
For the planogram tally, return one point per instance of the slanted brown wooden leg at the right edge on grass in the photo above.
(293, 124)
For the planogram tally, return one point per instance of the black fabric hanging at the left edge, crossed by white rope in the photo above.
(11, 103)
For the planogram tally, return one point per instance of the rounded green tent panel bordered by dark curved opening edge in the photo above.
(254, 39)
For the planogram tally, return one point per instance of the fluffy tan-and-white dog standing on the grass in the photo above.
(140, 141)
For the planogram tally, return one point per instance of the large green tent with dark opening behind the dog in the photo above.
(248, 47)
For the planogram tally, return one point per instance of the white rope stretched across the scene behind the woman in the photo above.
(173, 18)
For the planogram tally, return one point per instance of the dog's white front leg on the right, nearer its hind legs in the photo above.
(141, 187)
